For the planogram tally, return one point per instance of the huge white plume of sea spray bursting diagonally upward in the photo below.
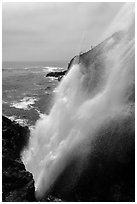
(95, 91)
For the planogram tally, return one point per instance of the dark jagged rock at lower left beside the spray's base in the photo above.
(17, 183)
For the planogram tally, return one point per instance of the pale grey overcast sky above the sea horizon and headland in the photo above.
(53, 31)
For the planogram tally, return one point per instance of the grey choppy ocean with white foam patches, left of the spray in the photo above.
(27, 93)
